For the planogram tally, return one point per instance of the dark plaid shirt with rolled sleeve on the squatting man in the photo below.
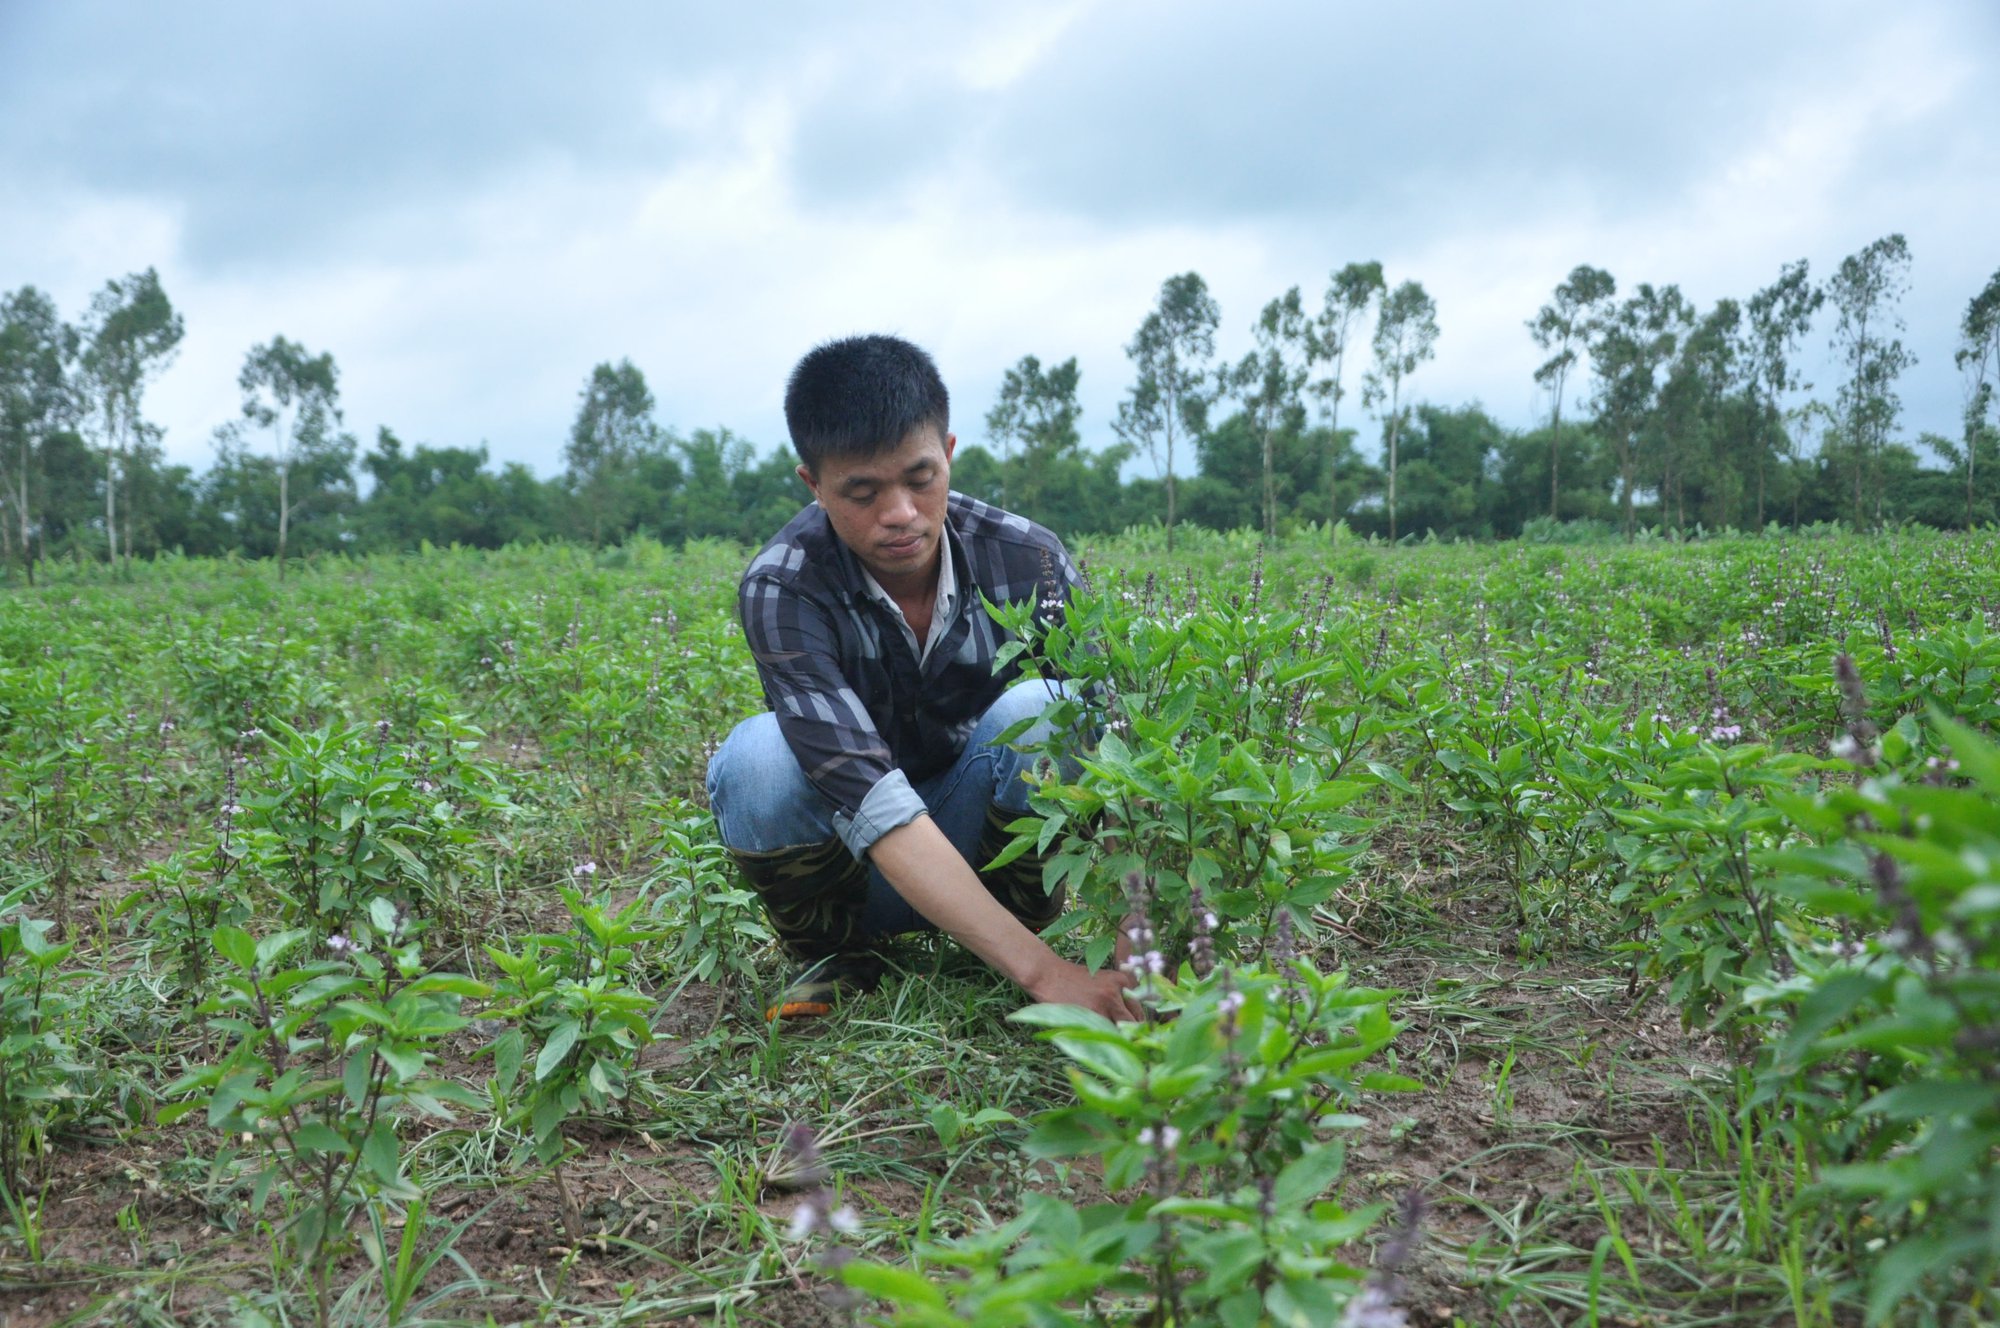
(861, 713)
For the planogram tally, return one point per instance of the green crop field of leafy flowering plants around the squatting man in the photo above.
(1551, 935)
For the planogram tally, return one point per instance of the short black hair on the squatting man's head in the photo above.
(861, 397)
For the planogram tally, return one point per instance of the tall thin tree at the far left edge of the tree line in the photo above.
(37, 399)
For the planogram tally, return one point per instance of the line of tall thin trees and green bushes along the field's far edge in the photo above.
(1659, 415)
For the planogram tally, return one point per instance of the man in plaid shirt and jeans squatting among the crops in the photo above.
(863, 803)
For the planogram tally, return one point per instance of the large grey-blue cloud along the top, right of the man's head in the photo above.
(1187, 113)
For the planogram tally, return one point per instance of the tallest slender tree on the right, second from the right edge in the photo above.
(1865, 293)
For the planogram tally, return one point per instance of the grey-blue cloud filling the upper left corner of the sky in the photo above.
(283, 131)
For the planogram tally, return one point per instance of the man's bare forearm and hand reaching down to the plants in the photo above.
(937, 883)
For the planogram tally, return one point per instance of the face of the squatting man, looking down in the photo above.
(891, 507)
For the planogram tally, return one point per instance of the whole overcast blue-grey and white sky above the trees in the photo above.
(471, 205)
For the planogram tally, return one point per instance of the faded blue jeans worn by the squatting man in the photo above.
(765, 805)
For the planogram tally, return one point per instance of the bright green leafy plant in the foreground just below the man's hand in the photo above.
(1219, 1127)
